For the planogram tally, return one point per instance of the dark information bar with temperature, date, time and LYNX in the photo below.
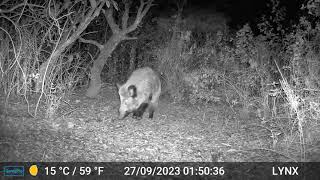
(161, 170)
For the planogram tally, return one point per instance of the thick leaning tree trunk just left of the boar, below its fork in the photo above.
(98, 64)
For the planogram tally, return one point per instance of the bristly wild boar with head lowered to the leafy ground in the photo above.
(140, 93)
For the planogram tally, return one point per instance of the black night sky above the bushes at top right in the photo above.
(239, 12)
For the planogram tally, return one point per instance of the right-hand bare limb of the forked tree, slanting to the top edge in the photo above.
(142, 11)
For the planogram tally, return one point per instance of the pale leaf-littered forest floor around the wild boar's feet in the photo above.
(87, 129)
